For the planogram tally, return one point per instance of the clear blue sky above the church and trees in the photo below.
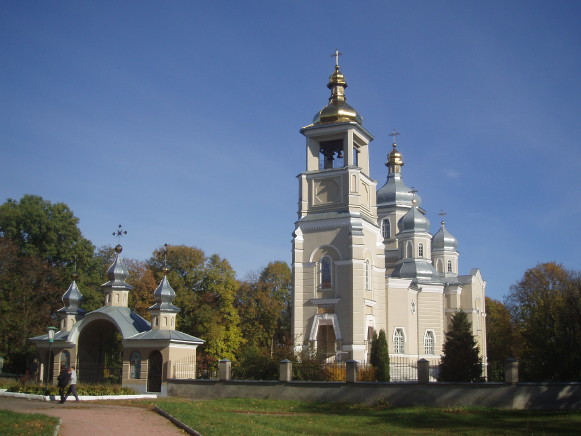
(180, 119)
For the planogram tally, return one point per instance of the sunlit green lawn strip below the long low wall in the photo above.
(272, 417)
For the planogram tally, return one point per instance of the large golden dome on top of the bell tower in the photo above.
(337, 111)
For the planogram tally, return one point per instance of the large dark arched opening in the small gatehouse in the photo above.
(100, 358)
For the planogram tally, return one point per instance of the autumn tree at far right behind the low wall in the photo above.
(545, 306)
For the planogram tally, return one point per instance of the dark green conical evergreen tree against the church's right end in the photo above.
(460, 360)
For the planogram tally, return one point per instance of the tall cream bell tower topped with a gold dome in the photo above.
(338, 254)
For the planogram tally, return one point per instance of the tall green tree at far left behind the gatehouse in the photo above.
(41, 244)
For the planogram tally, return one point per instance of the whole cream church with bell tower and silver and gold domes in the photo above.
(364, 258)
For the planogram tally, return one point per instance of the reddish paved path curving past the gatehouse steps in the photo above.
(87, 418)
